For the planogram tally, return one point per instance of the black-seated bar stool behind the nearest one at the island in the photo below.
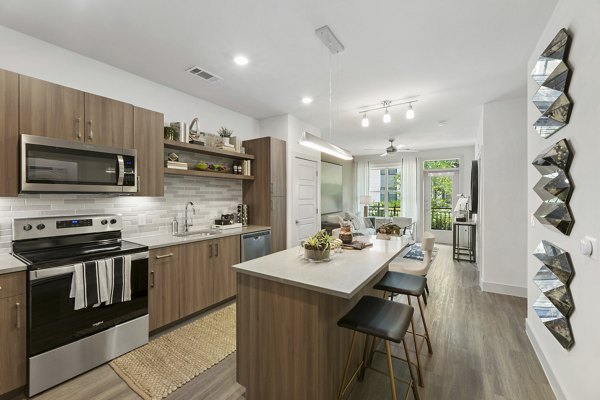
(409, 285)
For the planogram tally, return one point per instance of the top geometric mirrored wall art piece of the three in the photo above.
(552, 73)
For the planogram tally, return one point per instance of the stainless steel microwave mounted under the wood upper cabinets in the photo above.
(55, 165)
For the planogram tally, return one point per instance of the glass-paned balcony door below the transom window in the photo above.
(439, 198)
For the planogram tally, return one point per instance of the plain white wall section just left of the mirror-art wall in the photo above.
(503, 210)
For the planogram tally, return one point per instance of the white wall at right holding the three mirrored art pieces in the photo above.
(574, 373)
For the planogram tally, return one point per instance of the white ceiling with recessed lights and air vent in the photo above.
(456, 55)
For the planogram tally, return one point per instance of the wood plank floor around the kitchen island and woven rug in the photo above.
(480, 349)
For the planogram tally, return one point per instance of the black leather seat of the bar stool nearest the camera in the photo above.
(379, 317)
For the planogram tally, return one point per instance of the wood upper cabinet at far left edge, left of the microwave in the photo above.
(9, 133)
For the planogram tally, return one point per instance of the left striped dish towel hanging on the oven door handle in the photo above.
(89, 285)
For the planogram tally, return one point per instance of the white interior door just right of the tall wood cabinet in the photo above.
(305, 205)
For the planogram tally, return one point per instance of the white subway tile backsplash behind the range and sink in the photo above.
(211, 197)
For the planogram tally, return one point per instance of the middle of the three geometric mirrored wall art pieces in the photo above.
(555, 187)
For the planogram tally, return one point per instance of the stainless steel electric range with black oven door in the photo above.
(63, 342)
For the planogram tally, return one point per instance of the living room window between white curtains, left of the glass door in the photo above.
(385, 191)
